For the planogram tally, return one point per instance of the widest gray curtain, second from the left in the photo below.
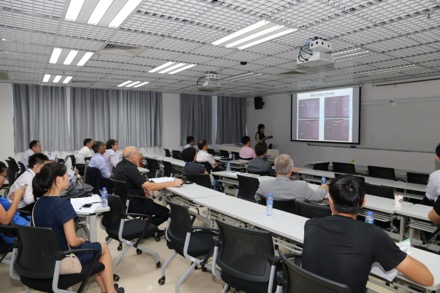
(131, 117)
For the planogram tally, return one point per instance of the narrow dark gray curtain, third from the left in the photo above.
(195, 117)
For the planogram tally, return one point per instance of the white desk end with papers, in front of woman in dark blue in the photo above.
(89, 213)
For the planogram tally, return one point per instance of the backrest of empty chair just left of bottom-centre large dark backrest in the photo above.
(180, 222)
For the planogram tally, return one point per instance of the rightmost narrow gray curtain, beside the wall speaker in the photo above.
(231, 119)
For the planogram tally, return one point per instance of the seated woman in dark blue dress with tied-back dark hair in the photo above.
(57, 213)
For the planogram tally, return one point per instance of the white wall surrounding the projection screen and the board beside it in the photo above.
(276, 116)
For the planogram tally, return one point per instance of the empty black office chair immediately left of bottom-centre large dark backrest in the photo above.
(193, 243)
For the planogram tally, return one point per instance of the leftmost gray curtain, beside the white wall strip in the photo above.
(40, 112)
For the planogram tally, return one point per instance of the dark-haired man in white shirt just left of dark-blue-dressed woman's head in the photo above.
(36, 162)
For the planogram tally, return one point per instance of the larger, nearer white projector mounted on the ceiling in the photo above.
(315, 52)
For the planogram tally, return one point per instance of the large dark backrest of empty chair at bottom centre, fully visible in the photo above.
(244, 253)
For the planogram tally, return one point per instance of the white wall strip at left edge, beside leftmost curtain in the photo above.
(7, 122)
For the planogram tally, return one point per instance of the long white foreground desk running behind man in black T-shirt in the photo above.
(286, 225)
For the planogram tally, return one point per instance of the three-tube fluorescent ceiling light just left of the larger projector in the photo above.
(252, 35)
